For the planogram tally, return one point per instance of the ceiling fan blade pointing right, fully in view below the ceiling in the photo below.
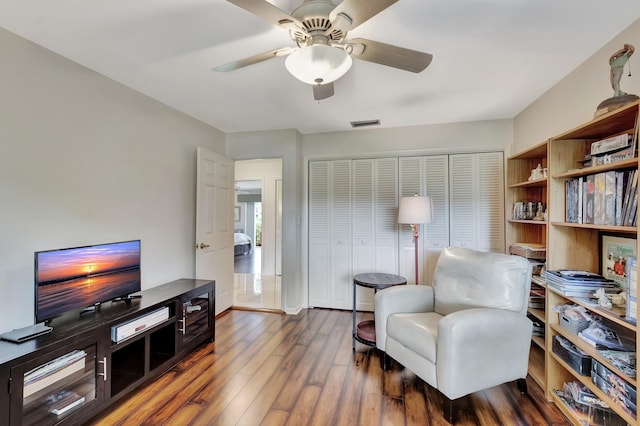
(389, 55)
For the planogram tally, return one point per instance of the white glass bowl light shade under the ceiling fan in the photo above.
(318, 64)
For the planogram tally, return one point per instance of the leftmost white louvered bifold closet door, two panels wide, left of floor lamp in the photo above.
(330, 275)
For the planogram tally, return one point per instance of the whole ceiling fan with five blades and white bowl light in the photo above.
(322, 53)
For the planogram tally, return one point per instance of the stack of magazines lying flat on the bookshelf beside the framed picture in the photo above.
(576, 283)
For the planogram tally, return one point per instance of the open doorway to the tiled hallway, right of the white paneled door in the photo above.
(257, 217)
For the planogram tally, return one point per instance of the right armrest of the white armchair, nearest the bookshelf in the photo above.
(480, 348)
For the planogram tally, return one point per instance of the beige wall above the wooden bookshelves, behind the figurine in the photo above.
(574, 99)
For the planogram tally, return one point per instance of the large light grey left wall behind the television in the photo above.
(85, 160)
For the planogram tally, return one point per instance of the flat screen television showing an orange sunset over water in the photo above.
(80, 277)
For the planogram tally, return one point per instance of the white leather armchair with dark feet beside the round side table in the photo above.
(467, 332)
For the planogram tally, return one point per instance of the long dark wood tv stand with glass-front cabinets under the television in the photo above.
(91, 370)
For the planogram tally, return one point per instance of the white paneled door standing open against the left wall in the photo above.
(214, 224)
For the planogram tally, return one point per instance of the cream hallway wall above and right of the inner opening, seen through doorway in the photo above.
(268, 172)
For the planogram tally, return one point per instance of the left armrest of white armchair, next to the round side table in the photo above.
(405, 298)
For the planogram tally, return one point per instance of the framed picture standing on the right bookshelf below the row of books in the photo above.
(614, 252)
